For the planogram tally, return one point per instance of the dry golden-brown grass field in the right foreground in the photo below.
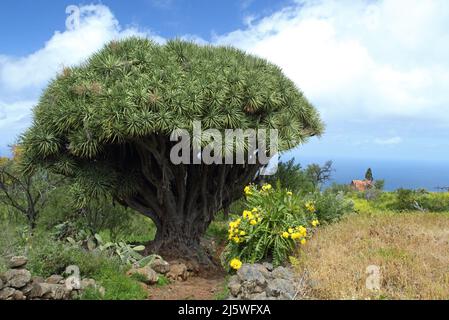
(411, 249)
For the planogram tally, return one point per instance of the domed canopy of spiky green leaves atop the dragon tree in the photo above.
(134, 88)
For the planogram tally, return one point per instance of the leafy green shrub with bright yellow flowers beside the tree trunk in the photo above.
(274, 223)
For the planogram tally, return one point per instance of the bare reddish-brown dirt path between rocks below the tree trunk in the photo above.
(195, 288)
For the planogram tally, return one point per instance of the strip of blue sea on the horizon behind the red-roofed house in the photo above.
(410, 174)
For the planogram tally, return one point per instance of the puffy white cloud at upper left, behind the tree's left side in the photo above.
(97, 27)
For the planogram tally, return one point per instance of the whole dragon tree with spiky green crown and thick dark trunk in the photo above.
(107, 123)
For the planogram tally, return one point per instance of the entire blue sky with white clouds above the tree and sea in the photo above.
(376, 70)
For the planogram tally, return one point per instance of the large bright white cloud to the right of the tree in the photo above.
(360, 59)
